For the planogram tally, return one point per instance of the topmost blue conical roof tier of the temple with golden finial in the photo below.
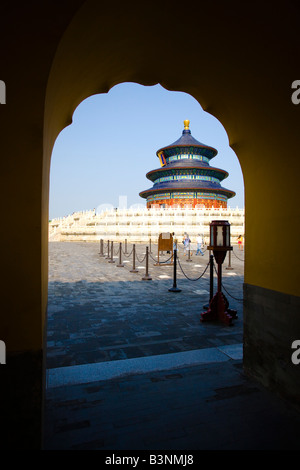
(187, 144)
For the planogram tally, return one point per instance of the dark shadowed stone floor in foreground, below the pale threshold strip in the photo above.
(204, 407)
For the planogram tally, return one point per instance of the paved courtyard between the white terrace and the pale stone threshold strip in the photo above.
(100, 312)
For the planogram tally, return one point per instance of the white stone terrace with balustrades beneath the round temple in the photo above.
(138, 225)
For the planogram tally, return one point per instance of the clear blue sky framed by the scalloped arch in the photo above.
(111, 145)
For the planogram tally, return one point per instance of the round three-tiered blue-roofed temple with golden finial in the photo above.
(186, 178)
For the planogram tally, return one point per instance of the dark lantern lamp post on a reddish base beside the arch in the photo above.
(219, 243)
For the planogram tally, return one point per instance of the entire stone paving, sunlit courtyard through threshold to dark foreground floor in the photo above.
(130, 365)
